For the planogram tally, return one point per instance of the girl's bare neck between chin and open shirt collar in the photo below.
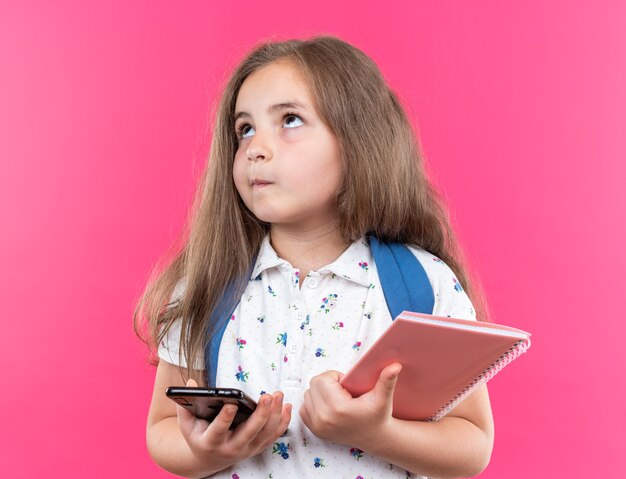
(308, 250)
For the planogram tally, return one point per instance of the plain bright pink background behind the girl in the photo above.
(104, 114)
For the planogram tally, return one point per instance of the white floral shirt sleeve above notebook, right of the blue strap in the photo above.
(451, 300)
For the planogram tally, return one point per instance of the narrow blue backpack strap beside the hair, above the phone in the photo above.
(219, 320)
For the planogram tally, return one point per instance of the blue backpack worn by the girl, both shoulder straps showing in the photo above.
(404, 282)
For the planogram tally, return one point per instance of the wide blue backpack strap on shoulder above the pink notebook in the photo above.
(405, 284)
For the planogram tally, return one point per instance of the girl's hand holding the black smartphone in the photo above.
(214, 443)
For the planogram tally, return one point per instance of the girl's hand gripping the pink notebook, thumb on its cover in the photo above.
(330, 412)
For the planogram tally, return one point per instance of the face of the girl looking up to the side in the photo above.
(287, 167)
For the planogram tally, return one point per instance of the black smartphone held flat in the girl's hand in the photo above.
(206, 403)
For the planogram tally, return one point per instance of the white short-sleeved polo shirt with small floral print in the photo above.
(281, 335)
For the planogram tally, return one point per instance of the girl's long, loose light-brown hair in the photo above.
(385, 190)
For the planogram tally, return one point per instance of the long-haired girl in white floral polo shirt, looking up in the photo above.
(311, 155)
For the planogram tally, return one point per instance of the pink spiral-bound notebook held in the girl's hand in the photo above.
(443, 361)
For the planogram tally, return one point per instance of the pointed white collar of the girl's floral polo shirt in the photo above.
(353, 264)
